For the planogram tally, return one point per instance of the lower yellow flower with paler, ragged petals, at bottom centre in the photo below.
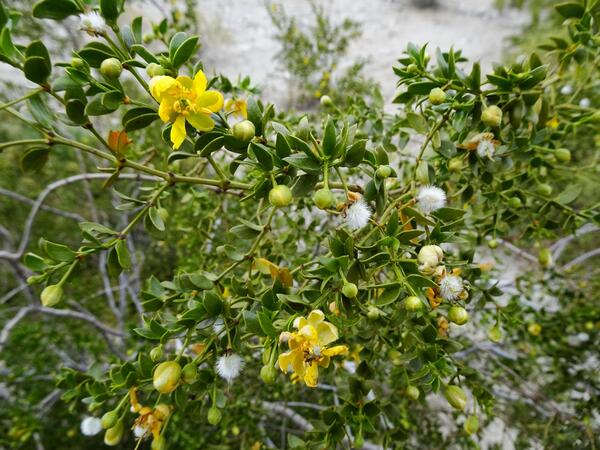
(308, 347)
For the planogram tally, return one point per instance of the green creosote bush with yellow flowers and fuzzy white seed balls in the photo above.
(312, 281)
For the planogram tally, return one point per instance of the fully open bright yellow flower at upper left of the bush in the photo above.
(183, 99)
